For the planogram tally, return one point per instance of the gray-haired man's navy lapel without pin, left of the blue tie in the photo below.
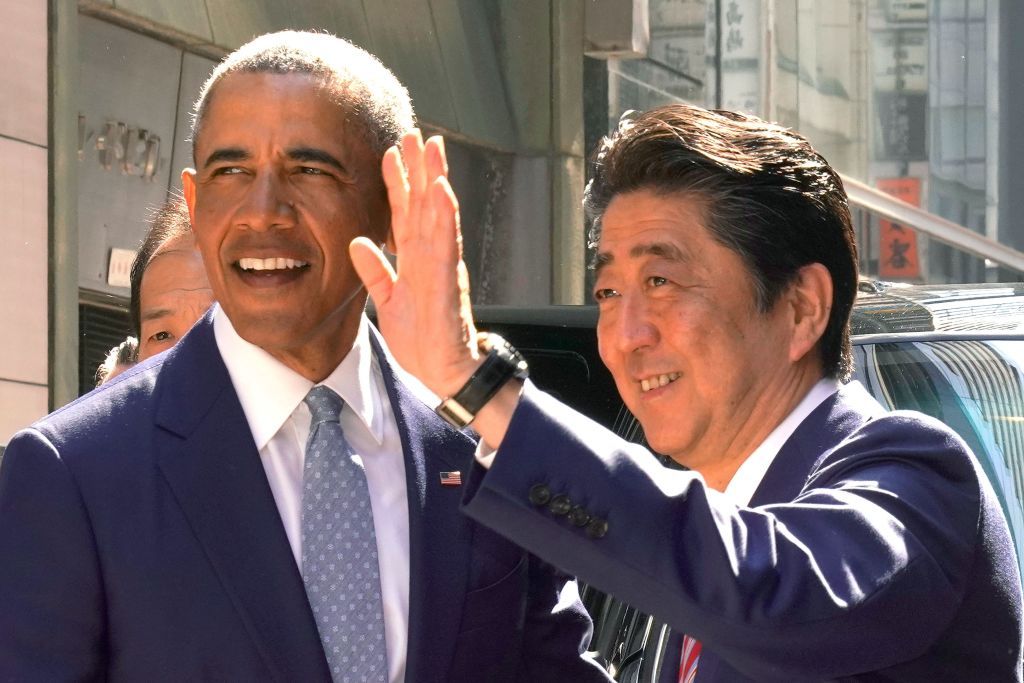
(208, 457)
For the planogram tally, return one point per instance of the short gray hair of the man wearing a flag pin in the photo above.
(357, 79)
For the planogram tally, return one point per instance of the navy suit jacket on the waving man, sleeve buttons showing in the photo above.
(874, 549)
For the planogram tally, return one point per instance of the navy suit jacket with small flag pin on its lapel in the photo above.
(140, 541)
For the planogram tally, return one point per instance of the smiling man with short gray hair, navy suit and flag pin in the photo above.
(154, 530)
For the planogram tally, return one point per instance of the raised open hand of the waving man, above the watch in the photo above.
(423, 310)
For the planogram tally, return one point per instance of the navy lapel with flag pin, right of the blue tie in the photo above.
(440, 537)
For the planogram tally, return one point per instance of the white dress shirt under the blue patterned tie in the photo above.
(272, 396)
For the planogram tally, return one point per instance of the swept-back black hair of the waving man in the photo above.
(766, 195)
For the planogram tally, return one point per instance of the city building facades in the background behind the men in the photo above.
(916, 103)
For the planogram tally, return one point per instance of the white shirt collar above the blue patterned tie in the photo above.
(271, 392)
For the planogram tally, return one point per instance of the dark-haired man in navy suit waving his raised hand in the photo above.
(817, 537)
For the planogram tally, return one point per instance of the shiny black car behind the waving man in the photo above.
(954, 352)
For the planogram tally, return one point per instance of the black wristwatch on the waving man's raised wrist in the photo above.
(503, 363)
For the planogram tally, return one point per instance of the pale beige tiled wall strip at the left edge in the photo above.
(24, 394)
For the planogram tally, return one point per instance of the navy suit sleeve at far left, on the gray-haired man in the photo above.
(53, 616)
